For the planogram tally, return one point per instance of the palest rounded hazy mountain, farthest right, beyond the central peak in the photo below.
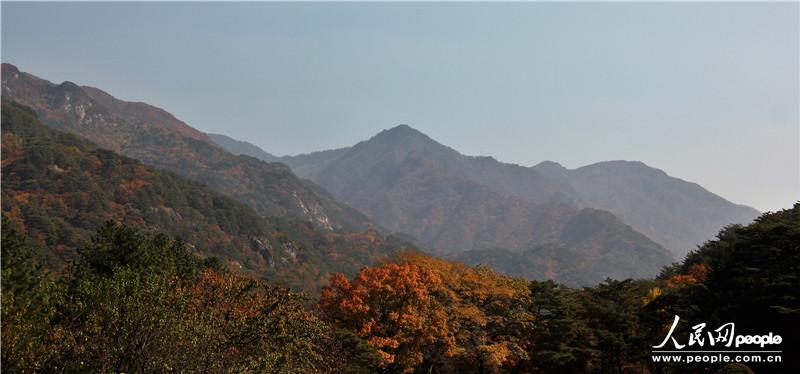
(678, 214)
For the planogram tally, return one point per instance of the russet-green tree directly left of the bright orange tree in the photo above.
(244, 325)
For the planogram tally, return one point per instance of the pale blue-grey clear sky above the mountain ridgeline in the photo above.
(707, 92)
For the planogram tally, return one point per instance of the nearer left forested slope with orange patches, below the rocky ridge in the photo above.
(58, 188)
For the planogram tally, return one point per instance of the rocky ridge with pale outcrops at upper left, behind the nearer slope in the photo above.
(158, 139)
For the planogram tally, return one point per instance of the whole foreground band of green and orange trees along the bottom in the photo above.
(135, 301)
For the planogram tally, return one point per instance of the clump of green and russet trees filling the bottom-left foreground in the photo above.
(138, 302)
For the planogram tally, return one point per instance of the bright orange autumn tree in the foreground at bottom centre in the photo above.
(419, 308)
